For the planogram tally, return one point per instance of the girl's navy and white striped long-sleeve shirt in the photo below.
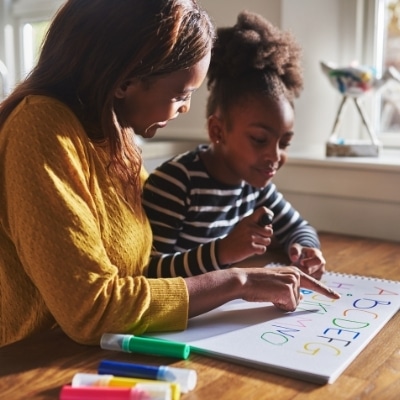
(189, 211)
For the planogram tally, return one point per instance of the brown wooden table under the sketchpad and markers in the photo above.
(38, 367)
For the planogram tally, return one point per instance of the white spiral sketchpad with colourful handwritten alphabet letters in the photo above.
(316, 342)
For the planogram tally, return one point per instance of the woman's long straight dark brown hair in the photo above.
(92, 46)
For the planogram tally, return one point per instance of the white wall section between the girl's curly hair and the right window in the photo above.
(318, 26)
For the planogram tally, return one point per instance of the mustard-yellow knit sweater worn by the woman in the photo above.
(72, 251)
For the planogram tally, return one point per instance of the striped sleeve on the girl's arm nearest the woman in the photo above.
(166, 201)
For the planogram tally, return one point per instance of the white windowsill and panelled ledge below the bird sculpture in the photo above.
(355, 197)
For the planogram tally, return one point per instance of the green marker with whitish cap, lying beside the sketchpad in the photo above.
(137, 344)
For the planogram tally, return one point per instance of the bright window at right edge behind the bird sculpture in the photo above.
(378, 38)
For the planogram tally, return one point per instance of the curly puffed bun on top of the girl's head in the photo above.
(254, 43)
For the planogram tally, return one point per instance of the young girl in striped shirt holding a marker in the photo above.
(211, 200)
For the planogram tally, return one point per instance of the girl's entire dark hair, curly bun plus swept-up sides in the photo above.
(251, 58)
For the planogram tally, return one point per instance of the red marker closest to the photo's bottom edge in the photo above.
(139, 392)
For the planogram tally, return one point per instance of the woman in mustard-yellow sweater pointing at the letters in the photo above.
(74, 239)
